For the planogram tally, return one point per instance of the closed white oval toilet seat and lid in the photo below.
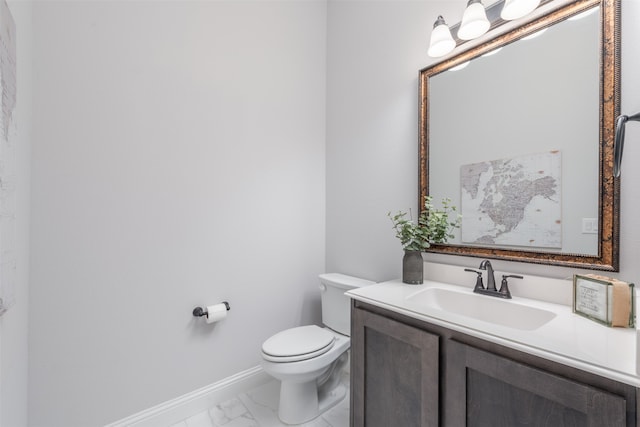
(296, 344)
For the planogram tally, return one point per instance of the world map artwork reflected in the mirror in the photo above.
(513, 202)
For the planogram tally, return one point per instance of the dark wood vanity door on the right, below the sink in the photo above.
(484, 389)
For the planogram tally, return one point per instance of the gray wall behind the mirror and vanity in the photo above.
(375, 49)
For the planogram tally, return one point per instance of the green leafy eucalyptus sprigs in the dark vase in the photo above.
(433, 225)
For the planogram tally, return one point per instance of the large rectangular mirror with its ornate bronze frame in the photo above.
(519, 131)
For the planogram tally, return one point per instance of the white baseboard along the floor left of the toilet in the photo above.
(180, 408)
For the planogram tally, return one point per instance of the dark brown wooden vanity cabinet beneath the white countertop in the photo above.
(411, 373)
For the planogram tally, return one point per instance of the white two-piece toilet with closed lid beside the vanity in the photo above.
(308, 360)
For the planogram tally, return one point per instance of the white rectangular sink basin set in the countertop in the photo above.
(486, 308)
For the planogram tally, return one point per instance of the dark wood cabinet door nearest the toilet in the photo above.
(394, 373)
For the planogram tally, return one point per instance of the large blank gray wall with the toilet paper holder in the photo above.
(178, 160)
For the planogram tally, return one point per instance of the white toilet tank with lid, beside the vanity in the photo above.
(336, 306)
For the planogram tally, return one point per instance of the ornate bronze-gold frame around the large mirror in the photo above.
(609, 192)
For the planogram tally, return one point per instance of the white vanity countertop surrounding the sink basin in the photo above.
(568, 338)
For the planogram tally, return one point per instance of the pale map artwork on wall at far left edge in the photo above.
(8, 132)
